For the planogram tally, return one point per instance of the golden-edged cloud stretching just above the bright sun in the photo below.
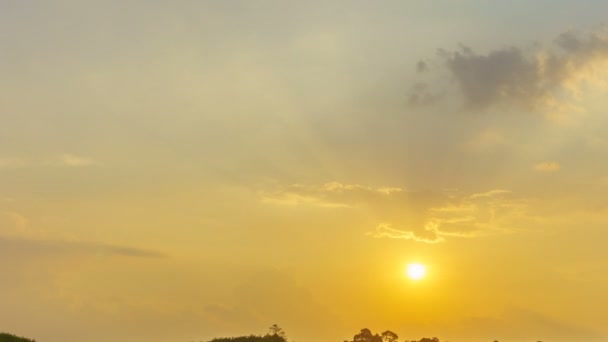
(416, 216)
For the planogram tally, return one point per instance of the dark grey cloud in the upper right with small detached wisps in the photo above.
(530, 79)
